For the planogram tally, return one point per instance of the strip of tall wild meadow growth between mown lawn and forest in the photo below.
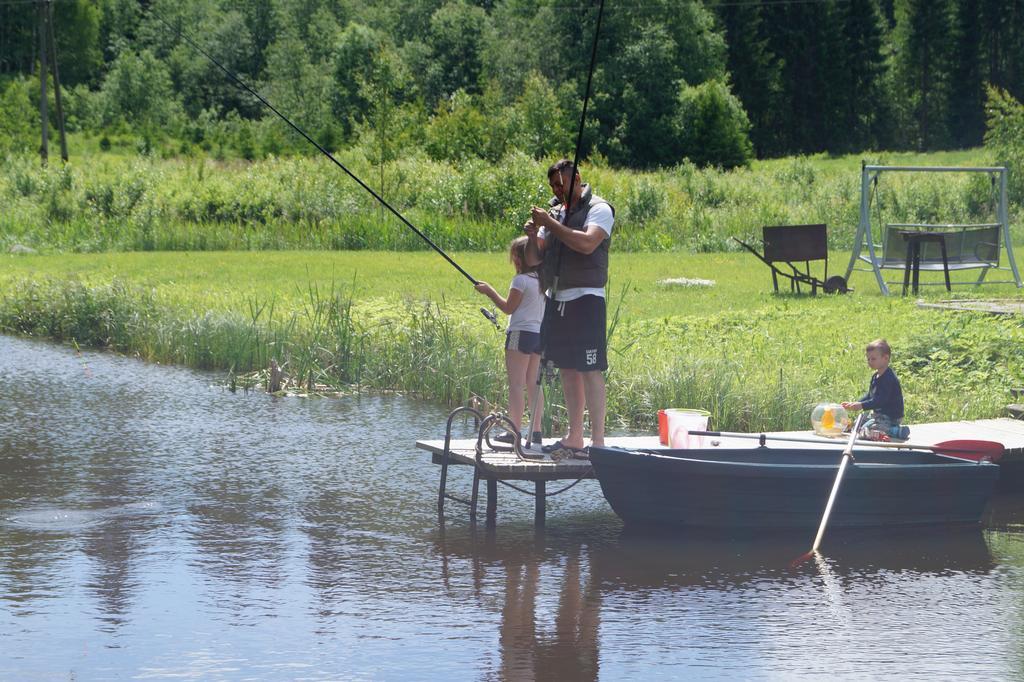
(111, 202)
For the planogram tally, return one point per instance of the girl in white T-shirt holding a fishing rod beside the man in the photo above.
(523, 344)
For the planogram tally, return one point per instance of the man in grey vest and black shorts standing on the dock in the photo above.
(573, 246)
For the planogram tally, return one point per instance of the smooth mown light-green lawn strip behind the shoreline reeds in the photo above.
(226, 280)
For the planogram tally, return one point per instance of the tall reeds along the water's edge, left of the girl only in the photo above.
(324, 345)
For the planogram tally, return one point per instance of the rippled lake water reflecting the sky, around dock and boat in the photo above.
(156, 526)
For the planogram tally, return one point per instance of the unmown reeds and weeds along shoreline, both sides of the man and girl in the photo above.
(752, 370)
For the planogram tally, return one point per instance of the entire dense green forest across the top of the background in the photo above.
(717, 83)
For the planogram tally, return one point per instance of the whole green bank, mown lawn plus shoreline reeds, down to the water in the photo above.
(410, 323)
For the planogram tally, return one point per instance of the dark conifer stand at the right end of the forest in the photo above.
(862, 74)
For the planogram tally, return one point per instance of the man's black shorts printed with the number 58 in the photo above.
(574, 334)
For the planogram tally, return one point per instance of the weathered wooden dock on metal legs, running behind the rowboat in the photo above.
(506, 466)
